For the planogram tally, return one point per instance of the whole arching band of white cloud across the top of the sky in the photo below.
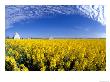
(18, 13)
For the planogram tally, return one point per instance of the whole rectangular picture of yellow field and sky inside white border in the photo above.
(55, 38)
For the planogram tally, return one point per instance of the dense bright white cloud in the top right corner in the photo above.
(94, 12)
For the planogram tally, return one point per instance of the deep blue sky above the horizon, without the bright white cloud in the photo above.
(57, 24)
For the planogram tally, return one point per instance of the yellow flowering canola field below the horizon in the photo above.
(55, 55)
